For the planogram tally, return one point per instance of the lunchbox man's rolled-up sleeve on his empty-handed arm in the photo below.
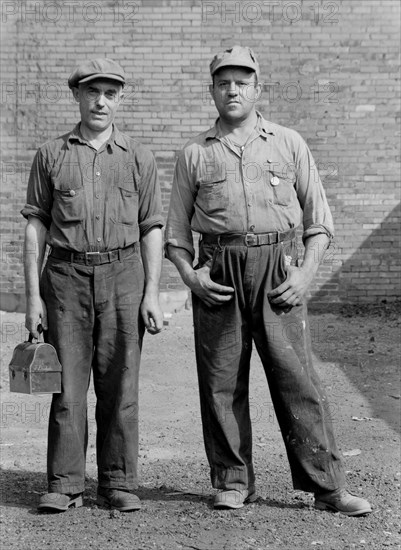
(150, 204)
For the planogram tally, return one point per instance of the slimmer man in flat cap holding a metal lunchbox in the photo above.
(93, 198)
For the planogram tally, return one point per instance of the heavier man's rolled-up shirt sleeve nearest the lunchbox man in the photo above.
(183, 194)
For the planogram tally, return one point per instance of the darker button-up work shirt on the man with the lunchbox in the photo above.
(94, 200)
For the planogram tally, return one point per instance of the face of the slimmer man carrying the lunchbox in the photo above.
(98, 103)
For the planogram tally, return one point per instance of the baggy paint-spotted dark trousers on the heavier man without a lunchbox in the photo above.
(223, 342)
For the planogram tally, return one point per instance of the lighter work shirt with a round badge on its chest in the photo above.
(270, 184)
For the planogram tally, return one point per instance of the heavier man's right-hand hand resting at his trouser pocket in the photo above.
(292, 291)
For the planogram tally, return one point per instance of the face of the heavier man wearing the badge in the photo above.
(235, 93)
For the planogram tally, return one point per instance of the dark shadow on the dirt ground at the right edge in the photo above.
(364, 341)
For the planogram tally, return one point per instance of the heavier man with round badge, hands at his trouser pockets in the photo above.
(245, 185)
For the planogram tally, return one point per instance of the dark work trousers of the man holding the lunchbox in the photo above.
(94, 324)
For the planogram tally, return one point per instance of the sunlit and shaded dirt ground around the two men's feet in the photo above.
(357, 355)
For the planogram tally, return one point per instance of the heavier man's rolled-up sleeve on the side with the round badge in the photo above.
(317, 217)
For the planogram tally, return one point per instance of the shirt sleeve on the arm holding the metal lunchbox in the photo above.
(39, 193)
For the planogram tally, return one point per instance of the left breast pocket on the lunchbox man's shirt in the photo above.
(68, 204)
